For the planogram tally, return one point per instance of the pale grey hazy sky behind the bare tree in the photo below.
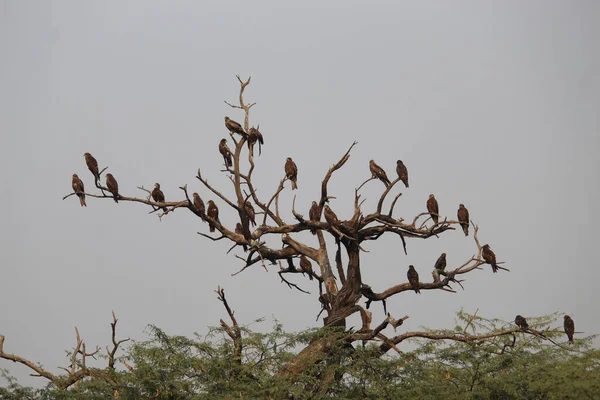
(491, 104)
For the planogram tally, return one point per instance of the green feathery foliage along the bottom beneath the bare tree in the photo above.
(503, 367)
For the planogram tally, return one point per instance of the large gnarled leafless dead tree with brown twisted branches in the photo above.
(340, 286)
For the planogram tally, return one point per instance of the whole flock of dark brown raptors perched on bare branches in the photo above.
(254, 136)
